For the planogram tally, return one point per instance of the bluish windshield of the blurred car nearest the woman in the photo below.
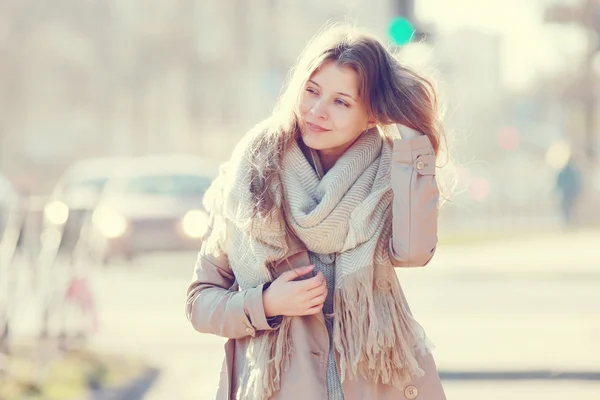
(169, 185)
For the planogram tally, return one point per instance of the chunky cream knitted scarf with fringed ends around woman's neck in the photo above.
(349, 213)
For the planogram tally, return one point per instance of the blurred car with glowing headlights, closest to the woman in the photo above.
(154, 205)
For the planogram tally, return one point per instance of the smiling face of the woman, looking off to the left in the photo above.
(332, 115)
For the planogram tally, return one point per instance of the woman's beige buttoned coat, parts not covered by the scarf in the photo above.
(214, 305)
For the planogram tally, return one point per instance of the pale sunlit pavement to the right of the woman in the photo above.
(504, 311)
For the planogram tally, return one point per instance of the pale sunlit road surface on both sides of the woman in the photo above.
(496, 312)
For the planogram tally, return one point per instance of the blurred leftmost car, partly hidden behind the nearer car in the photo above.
(71, 203)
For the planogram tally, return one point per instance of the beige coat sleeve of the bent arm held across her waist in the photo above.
(215, 306)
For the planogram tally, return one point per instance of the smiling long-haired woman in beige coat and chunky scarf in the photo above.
(316, 207)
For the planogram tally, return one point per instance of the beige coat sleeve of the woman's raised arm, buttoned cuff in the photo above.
(415, 205)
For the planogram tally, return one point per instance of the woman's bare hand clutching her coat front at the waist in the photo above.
(294, 298)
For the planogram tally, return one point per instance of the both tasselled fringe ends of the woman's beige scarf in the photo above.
(374, 334)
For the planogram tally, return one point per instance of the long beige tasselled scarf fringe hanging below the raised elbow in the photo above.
(374, 332)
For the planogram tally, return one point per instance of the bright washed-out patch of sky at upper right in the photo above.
(530, 46)
